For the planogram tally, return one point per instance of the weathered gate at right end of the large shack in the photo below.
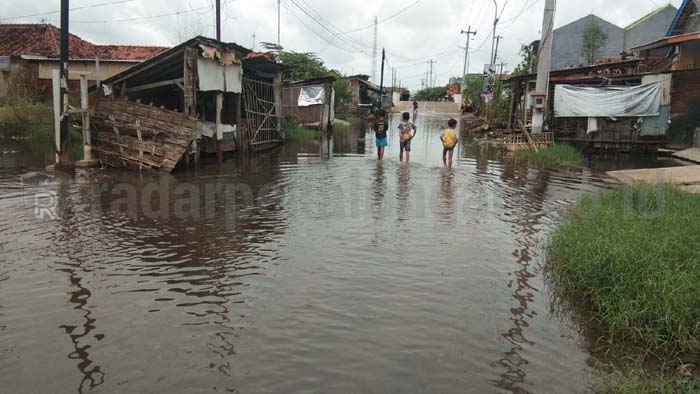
(262, 115)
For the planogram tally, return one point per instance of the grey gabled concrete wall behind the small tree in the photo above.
(566, 47)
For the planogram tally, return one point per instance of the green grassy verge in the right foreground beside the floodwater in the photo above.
(633, 253)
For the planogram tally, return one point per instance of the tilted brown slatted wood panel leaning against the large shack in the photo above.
(131, 135)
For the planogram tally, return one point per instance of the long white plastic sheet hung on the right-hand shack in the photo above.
(609, 101)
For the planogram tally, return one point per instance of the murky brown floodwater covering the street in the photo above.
(312, 269)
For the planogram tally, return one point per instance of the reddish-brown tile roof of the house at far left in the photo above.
(44, 40)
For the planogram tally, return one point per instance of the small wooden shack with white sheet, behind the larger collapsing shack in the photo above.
(312, 101)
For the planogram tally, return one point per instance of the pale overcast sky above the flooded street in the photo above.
(414, 32)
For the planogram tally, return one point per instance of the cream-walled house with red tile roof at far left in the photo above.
(36, 49)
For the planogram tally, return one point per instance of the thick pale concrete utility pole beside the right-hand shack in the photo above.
(543, 59)
